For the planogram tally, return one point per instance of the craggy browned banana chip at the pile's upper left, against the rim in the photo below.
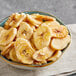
(14, 20)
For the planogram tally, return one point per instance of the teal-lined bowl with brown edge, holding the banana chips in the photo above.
(26, 66)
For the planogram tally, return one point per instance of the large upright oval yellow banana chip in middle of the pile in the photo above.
(42, 37)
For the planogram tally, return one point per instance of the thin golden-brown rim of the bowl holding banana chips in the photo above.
(30, 65)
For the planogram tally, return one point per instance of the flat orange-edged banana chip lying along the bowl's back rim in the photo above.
(43, 17)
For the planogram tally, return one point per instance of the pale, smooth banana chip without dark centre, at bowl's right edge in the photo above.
(60, 44)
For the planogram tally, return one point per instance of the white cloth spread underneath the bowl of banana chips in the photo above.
(66, 63)
